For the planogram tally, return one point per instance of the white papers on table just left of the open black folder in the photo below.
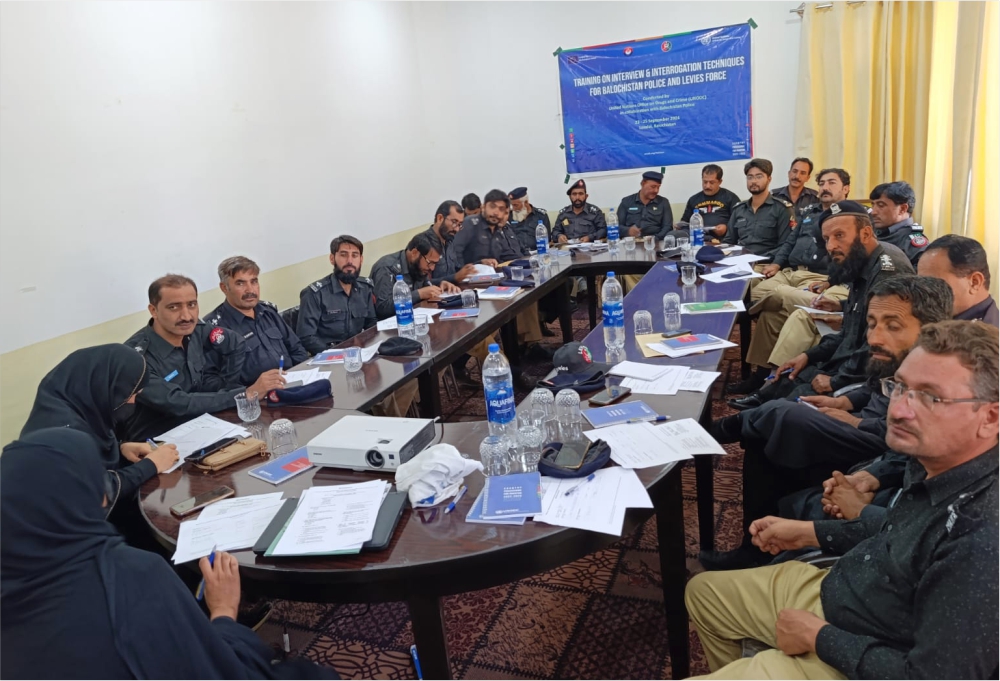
(227, 525)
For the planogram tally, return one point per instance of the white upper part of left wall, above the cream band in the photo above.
(145, 137)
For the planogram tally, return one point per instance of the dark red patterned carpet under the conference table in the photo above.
(600, 617)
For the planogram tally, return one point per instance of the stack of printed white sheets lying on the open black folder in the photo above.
(332, 518)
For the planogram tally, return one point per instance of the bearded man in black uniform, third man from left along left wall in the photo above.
(340, 305)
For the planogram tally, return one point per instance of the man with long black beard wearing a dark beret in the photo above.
(856, 258)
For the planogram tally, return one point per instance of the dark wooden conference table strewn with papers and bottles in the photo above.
(433, 555)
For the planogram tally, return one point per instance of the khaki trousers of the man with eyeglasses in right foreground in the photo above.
(729, 606)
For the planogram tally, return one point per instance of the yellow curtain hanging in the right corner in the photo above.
(907, 91)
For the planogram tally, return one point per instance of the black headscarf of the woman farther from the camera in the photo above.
(88, 391)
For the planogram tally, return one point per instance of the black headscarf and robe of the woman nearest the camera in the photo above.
(119, 612)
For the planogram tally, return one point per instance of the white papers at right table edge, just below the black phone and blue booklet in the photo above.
(641, 445)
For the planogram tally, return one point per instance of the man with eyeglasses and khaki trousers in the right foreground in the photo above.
(916, 591)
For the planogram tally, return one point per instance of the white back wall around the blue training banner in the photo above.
(495, 123)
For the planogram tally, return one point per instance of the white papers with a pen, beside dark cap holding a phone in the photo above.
(597, 504)
